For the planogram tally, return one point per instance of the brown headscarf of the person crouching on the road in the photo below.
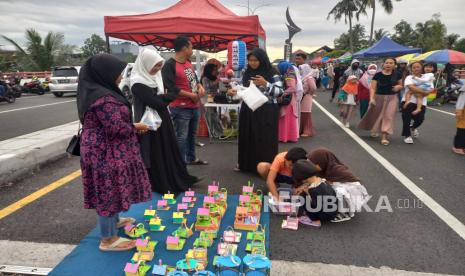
(332, 169)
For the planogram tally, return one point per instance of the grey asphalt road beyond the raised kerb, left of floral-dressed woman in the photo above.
(33, 113)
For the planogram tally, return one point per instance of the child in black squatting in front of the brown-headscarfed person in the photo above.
(322, 197)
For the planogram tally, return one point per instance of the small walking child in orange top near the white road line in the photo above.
(349, 92)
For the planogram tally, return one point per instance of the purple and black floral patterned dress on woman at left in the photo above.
(113, 174)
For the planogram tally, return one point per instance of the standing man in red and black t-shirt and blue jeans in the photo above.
(180, 79)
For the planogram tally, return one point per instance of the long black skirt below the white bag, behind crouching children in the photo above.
(258, 136)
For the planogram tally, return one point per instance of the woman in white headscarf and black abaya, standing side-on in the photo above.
(160, 152)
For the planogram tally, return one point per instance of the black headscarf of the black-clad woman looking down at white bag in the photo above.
(264, 69)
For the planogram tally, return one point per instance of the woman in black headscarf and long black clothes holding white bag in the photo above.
(258, 130)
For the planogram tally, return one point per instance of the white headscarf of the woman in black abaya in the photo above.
(145, 61)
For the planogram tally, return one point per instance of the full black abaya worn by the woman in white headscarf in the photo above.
(159, 149)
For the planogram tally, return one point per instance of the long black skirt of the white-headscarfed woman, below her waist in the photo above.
(165, 166)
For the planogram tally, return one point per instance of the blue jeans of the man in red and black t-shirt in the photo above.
(185, 121)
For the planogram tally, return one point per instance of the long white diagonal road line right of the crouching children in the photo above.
(440, 211)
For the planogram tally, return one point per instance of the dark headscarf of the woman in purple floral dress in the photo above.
(97, 78)
